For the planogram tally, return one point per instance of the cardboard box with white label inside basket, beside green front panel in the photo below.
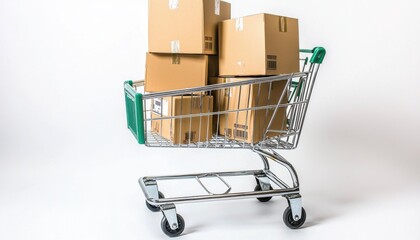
(187, 129)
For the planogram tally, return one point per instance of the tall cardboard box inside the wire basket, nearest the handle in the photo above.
(248, 125)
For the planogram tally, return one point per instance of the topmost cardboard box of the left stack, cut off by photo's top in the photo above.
(185, 26)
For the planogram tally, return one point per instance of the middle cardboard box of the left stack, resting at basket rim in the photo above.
(166, 72)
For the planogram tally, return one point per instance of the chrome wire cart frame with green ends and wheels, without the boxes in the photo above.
(294, 216)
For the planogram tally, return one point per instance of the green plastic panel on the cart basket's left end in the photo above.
(134, 111)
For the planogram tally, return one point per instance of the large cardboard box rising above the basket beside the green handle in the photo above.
(261, 44)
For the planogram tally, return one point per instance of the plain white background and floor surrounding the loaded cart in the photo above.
(69, 166)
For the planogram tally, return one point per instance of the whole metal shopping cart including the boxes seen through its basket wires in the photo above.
(220, 116)
